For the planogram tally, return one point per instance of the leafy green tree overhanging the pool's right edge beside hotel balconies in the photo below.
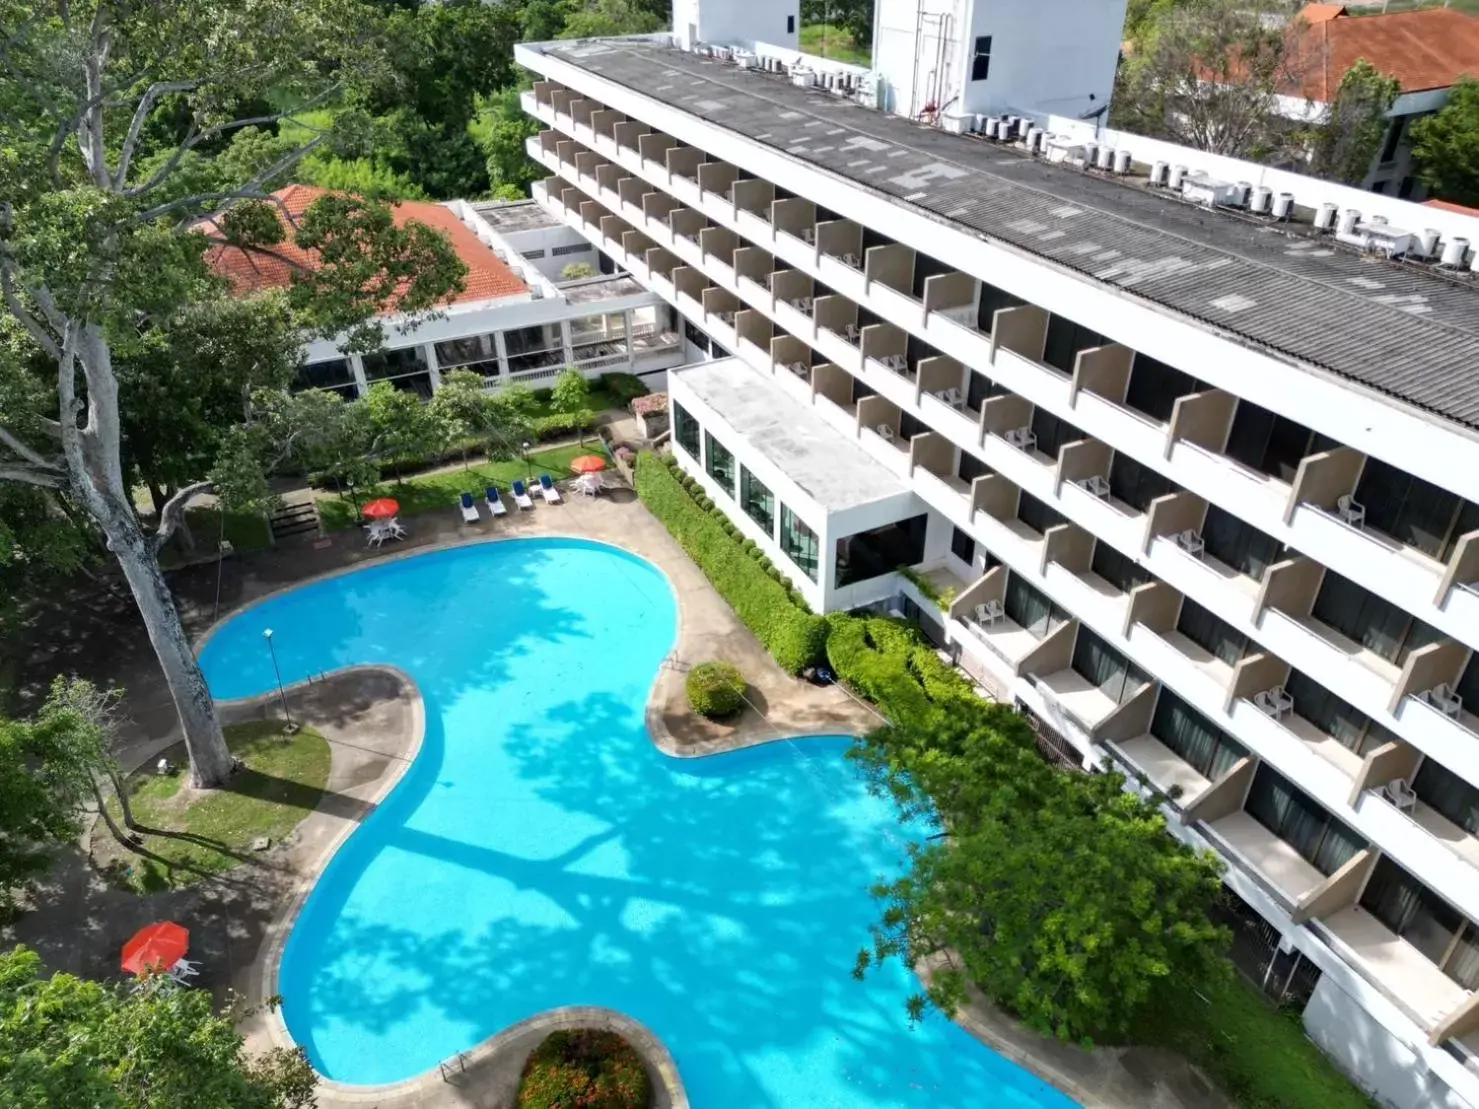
(1060, 895)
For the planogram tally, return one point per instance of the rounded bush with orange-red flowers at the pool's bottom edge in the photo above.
(585, 1068)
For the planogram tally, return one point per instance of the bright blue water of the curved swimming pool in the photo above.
(542, 852)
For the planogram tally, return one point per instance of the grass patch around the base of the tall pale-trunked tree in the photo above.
(280, 784)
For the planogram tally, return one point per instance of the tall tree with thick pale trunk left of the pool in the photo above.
(100, 240)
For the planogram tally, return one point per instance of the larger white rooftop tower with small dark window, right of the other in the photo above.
(967, 57)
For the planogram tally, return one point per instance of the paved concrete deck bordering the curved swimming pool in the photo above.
(373, 722)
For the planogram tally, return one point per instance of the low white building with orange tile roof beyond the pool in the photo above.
(517, 320)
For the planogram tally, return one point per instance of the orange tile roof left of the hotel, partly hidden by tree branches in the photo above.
(249, 271)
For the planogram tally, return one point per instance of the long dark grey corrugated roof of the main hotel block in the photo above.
(1398, 329)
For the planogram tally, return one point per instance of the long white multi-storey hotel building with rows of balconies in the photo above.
(1196, 484)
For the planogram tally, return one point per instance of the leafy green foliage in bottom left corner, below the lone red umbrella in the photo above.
(67, 1042)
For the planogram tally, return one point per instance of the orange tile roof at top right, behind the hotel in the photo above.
(1426, 50)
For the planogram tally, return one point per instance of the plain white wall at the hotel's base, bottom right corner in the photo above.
(1373, 1057)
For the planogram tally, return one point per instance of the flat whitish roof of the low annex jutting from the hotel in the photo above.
(829, 467)
